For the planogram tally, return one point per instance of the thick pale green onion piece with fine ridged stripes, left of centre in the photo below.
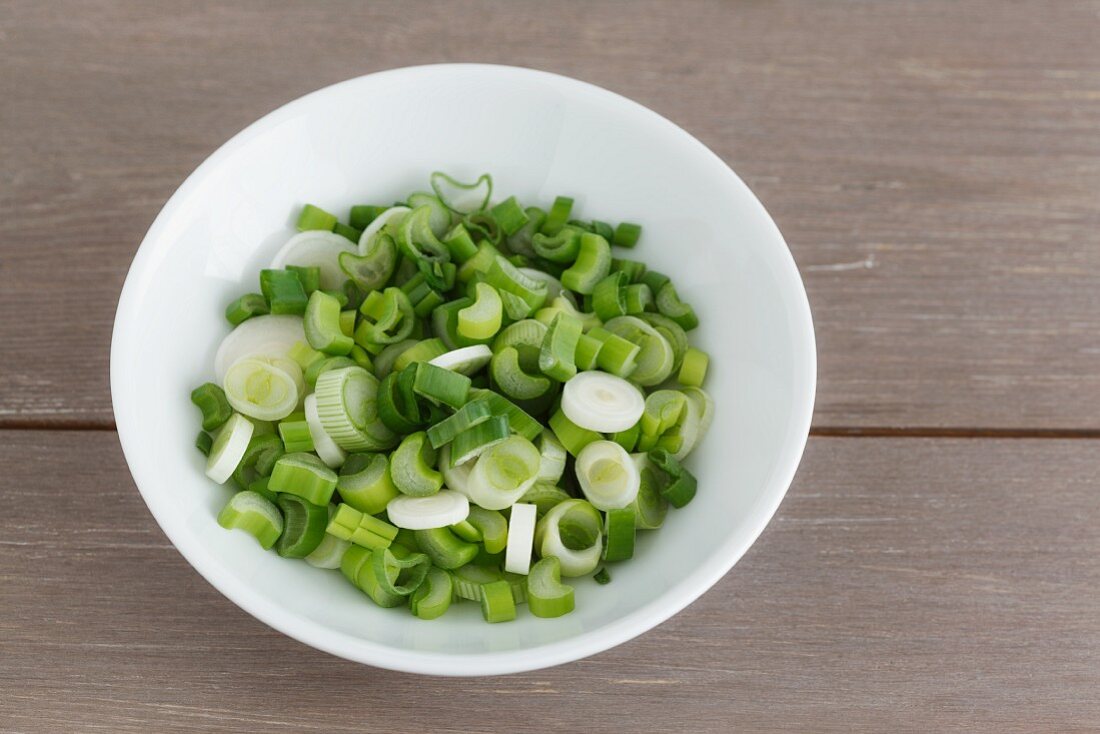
(347, 403)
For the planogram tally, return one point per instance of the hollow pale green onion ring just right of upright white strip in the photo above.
(573, 532)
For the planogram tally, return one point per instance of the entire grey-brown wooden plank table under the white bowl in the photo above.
(936, 168)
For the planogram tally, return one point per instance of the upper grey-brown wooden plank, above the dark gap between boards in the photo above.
(934, 167)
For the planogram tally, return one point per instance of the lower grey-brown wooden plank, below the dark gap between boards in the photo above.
(883, 598)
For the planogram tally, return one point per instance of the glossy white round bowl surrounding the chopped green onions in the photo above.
(376, 139)
